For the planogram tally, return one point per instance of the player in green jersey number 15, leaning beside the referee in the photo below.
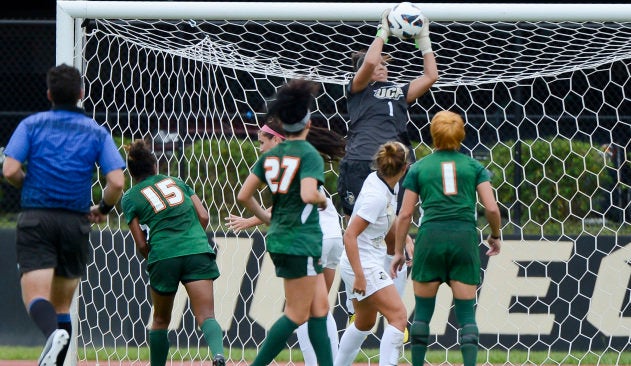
(176, 249)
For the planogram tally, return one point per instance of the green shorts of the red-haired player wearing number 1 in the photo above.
(445, 252)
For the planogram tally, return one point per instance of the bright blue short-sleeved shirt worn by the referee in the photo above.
(60, 148)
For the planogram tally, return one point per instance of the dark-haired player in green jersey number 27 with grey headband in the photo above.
(293, 170)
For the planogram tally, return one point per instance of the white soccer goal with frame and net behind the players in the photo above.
(546, 94)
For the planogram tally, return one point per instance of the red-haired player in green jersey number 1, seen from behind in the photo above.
(446, 183)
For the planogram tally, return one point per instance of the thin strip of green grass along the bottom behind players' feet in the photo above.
(433, 356)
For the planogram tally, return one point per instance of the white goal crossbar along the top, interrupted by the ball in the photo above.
(342, 11)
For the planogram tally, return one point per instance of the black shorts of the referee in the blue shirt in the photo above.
(53, 238)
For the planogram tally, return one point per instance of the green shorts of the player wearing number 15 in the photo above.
(165, 275)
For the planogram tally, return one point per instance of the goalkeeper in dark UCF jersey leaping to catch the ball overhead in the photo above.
(377, 109)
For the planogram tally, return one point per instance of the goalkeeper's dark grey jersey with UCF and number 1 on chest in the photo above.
(377, 114)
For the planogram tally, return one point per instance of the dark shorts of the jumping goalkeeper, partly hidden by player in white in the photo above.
(353, 173)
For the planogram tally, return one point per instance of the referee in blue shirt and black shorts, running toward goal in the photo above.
(52, 157)
